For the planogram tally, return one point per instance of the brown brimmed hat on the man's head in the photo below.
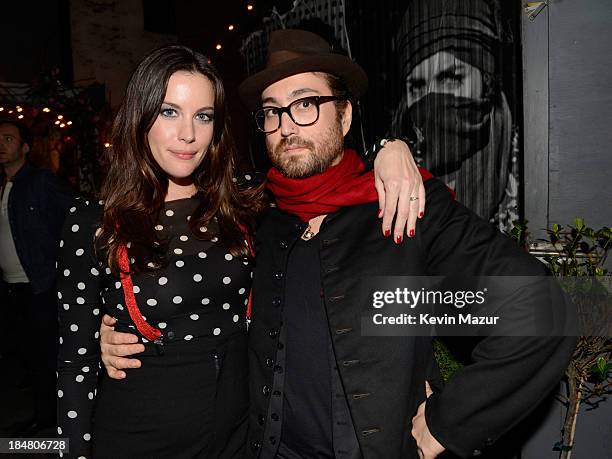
(297, 51)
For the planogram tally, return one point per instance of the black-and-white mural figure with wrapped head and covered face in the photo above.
(453, 105)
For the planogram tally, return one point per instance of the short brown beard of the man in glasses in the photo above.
(316, 160)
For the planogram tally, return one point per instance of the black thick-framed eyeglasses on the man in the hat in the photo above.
(303, 112)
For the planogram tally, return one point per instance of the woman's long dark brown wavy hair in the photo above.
(135, 186)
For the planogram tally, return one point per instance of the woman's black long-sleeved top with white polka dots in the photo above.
(200, 294)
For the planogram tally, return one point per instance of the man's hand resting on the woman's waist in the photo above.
(115, 346)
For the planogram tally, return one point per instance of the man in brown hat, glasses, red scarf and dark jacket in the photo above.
(319, 387)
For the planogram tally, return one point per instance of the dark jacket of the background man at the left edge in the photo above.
(37, 206)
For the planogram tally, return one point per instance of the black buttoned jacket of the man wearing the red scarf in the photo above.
(384, 377)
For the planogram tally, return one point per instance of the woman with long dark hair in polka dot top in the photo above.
(165, 249)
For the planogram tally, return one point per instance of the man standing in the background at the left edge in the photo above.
(34, 203)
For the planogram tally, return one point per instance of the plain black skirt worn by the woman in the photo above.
(190, 402)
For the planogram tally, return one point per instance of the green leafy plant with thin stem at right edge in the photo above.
(578, 253)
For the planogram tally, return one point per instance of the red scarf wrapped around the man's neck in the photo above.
(344, 184)
